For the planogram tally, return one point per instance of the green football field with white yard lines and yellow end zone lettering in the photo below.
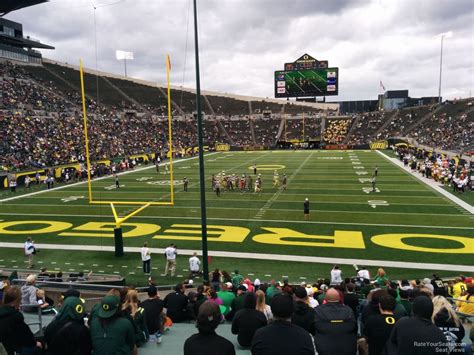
(405, 221)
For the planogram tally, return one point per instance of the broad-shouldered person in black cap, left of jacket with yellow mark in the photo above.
(281, 337)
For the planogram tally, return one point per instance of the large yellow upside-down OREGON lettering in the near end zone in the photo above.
(236, 234)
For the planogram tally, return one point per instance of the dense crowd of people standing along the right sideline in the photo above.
(455, 173)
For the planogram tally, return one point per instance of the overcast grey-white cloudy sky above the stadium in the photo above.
(243, 42)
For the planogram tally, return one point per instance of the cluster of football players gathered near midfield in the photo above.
(245, 183)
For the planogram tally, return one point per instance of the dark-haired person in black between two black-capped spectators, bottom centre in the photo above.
(247, 321)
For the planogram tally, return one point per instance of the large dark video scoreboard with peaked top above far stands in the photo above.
(306, 77)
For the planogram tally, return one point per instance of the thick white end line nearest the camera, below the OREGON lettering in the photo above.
(259, 256)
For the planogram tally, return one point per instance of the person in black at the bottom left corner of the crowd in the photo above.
(15, 335)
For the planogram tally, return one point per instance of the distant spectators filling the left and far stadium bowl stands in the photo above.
(41, 121)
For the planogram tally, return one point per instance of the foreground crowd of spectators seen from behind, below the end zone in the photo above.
(336, 315)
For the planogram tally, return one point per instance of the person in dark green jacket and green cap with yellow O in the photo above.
(112, 333)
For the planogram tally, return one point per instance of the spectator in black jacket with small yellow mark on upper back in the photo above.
(336, 327)
